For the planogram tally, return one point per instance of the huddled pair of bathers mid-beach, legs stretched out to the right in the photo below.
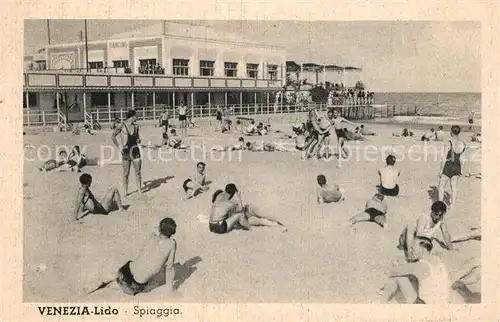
(228, 210)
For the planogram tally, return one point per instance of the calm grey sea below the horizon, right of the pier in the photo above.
(434, 104)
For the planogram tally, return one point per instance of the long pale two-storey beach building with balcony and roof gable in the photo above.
(166, 64)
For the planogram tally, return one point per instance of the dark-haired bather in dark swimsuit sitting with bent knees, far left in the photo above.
(86, 203)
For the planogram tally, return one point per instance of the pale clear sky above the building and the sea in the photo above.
(395, 56)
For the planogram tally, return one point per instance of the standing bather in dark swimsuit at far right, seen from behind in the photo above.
(451, 167)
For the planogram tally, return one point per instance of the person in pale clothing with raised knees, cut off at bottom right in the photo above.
(424, 279)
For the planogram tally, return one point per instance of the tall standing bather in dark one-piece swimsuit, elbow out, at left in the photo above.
(129, 149)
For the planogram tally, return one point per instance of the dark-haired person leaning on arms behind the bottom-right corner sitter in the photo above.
(429, 226)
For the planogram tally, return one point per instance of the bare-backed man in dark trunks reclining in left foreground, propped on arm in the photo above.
(156, 257)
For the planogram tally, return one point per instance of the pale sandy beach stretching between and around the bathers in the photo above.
(317, 260)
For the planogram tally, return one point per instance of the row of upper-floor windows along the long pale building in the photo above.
(181, 67)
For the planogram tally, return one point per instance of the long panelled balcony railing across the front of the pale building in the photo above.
(54, 81)
